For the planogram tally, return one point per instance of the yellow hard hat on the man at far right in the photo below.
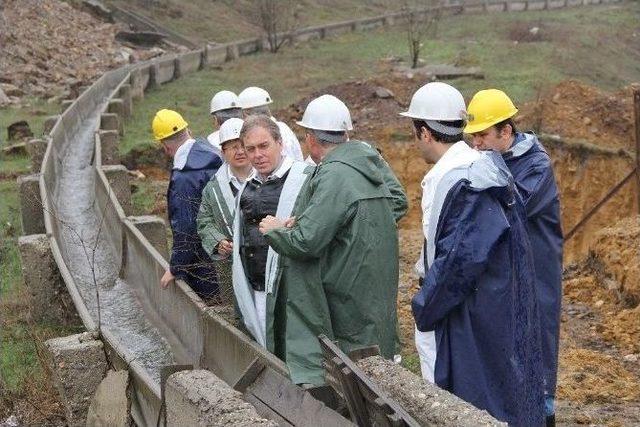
(487, 108)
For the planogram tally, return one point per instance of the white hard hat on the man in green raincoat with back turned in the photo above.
(327, 113)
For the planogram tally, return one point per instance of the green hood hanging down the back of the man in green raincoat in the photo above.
(360, 156)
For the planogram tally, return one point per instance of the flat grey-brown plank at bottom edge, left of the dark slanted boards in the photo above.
(291, 402)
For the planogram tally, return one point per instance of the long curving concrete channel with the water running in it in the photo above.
(112, 271)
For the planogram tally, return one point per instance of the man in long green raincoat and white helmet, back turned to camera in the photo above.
(340, 250)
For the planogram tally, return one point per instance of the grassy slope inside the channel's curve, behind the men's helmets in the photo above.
(598, 45)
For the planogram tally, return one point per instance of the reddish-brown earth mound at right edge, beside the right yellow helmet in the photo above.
(578, 111)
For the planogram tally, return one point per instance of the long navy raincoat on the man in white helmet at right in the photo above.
(479, 294)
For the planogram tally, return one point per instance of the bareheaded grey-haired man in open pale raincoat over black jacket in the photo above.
(271, 190)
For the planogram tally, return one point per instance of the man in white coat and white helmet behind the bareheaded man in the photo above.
(254, 101)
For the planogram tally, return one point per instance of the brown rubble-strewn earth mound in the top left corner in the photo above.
(49, 47)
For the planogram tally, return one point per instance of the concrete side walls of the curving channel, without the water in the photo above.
(197, 335)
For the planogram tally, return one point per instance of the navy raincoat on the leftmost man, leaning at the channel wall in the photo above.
(189, 261)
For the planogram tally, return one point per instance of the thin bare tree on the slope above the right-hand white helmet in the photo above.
(421, 22)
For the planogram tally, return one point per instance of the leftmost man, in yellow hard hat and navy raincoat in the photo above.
(194, 163)
